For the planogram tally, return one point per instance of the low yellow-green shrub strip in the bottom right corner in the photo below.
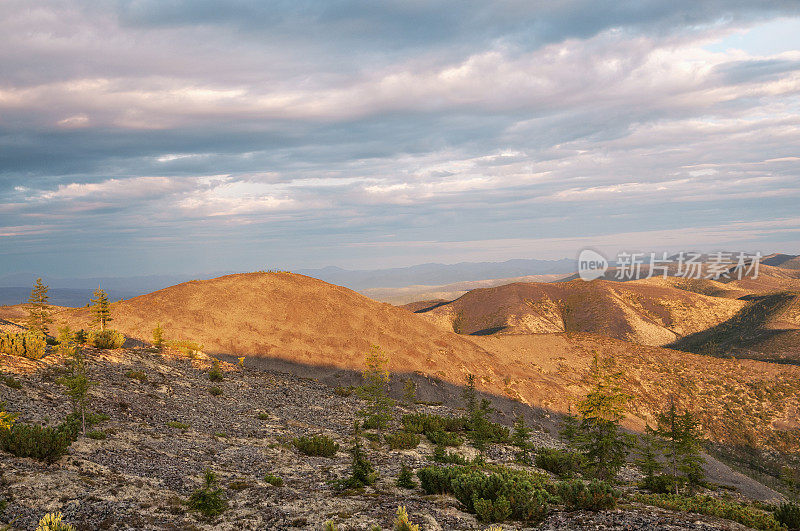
(719, 507)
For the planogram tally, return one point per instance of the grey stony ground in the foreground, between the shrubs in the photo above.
(141, 474)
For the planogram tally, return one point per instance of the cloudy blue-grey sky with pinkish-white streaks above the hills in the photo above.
(175, 136)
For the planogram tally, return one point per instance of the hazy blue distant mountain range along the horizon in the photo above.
(15, 288)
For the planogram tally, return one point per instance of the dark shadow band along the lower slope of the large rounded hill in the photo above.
(430, 390)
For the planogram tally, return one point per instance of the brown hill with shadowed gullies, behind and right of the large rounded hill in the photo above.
(635, 311)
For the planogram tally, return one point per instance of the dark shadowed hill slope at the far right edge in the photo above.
(745, 334)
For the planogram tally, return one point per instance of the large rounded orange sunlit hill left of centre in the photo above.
(287, 316)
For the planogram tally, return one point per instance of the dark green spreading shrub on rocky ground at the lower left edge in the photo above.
(44, 443)
